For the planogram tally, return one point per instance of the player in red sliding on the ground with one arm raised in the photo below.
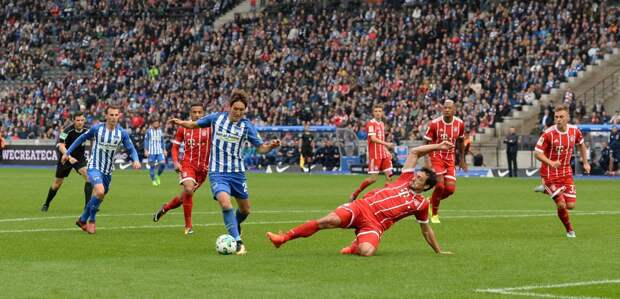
(378, 210)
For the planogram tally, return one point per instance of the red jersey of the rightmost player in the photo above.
(558, 146)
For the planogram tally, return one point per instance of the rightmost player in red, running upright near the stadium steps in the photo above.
(555, 149)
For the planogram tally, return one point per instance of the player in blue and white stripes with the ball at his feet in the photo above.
(229, 132)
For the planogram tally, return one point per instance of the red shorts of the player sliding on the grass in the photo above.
(367, 228)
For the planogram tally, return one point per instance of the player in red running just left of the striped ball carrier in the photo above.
(192, 168)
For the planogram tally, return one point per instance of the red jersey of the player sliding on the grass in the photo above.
(397, 201)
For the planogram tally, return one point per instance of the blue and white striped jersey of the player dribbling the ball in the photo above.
(227, 141)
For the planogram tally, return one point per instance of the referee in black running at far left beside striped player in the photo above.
(66, 138)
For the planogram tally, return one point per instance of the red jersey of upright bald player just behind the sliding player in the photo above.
(439, 131)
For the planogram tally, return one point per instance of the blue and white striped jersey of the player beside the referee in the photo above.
(105, 144)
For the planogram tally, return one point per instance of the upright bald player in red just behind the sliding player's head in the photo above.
(445, 128)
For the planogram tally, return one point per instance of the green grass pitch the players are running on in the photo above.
(503, 236)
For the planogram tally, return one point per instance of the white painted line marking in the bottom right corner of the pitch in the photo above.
(517, 290)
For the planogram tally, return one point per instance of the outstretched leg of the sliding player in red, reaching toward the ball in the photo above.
(331, 220)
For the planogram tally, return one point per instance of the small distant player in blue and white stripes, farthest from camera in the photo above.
(155, 151)
